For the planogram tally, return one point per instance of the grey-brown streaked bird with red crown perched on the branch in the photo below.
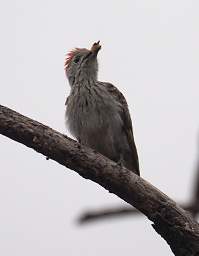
(97, 113)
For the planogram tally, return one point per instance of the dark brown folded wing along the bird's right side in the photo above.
(125, 115)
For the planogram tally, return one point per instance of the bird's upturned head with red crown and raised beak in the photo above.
(81, 64)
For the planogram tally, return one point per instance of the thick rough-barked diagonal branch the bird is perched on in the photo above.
(174, 224)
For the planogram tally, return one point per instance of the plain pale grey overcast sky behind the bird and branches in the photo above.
(150, 50)
